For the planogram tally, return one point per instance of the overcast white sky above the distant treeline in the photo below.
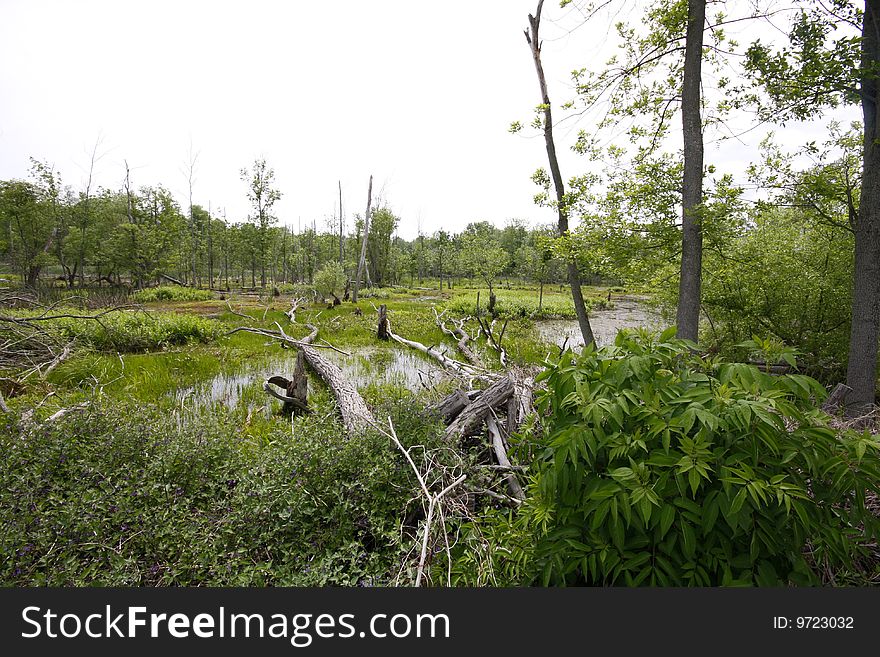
(418, 94)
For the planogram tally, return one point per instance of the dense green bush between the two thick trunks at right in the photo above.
(796, 288)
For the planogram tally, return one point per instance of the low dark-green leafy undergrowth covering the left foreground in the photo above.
(123, 496)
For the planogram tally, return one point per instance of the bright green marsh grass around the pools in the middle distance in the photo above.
(149, 356)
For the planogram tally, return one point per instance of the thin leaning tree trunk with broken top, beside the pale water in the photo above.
(574, 279)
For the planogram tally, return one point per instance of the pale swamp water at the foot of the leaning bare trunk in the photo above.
(627, 313)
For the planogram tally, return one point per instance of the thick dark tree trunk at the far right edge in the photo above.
(861, 373)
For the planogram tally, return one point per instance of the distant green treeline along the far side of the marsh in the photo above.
(141, 237)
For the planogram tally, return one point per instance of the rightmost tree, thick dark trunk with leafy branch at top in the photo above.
(820, 69)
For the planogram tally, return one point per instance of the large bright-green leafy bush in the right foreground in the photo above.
(658, 467)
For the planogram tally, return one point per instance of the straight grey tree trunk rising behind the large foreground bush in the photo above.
(688, 316)
